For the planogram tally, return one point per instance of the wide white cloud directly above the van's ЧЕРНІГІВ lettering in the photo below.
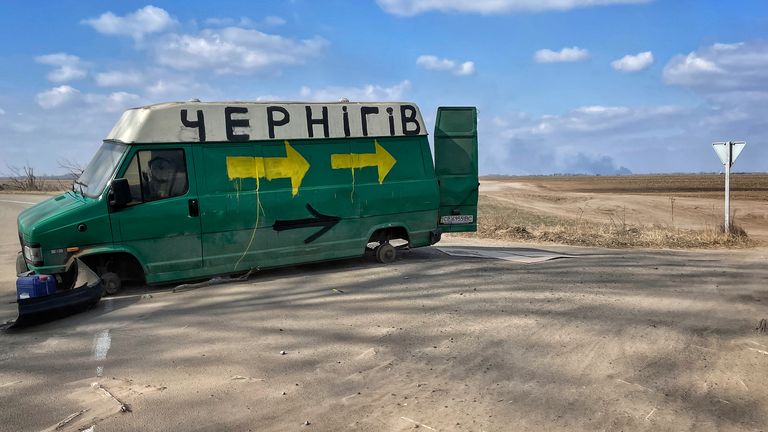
(234, 50)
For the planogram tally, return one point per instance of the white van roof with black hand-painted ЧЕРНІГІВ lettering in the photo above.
(252, 121)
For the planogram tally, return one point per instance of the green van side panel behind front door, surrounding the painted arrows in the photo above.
(237, 236)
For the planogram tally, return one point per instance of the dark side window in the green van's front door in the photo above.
(157, 174)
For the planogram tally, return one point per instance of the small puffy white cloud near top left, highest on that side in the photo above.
(149, 19)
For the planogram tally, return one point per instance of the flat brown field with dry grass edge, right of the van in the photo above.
(679, 211)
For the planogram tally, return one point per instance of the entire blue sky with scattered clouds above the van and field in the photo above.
(580, 86)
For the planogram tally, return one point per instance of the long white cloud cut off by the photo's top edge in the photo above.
(491, 7)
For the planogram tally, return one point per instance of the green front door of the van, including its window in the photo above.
(161, 225)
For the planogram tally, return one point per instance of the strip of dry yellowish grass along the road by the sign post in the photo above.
(500, 220)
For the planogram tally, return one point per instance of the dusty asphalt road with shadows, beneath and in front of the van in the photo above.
(611, 340)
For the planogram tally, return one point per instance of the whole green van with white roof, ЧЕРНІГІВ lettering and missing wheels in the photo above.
(182, 191)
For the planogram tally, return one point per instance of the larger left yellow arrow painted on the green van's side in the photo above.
(292, 166)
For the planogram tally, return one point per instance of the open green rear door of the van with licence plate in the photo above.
(456, 167)
